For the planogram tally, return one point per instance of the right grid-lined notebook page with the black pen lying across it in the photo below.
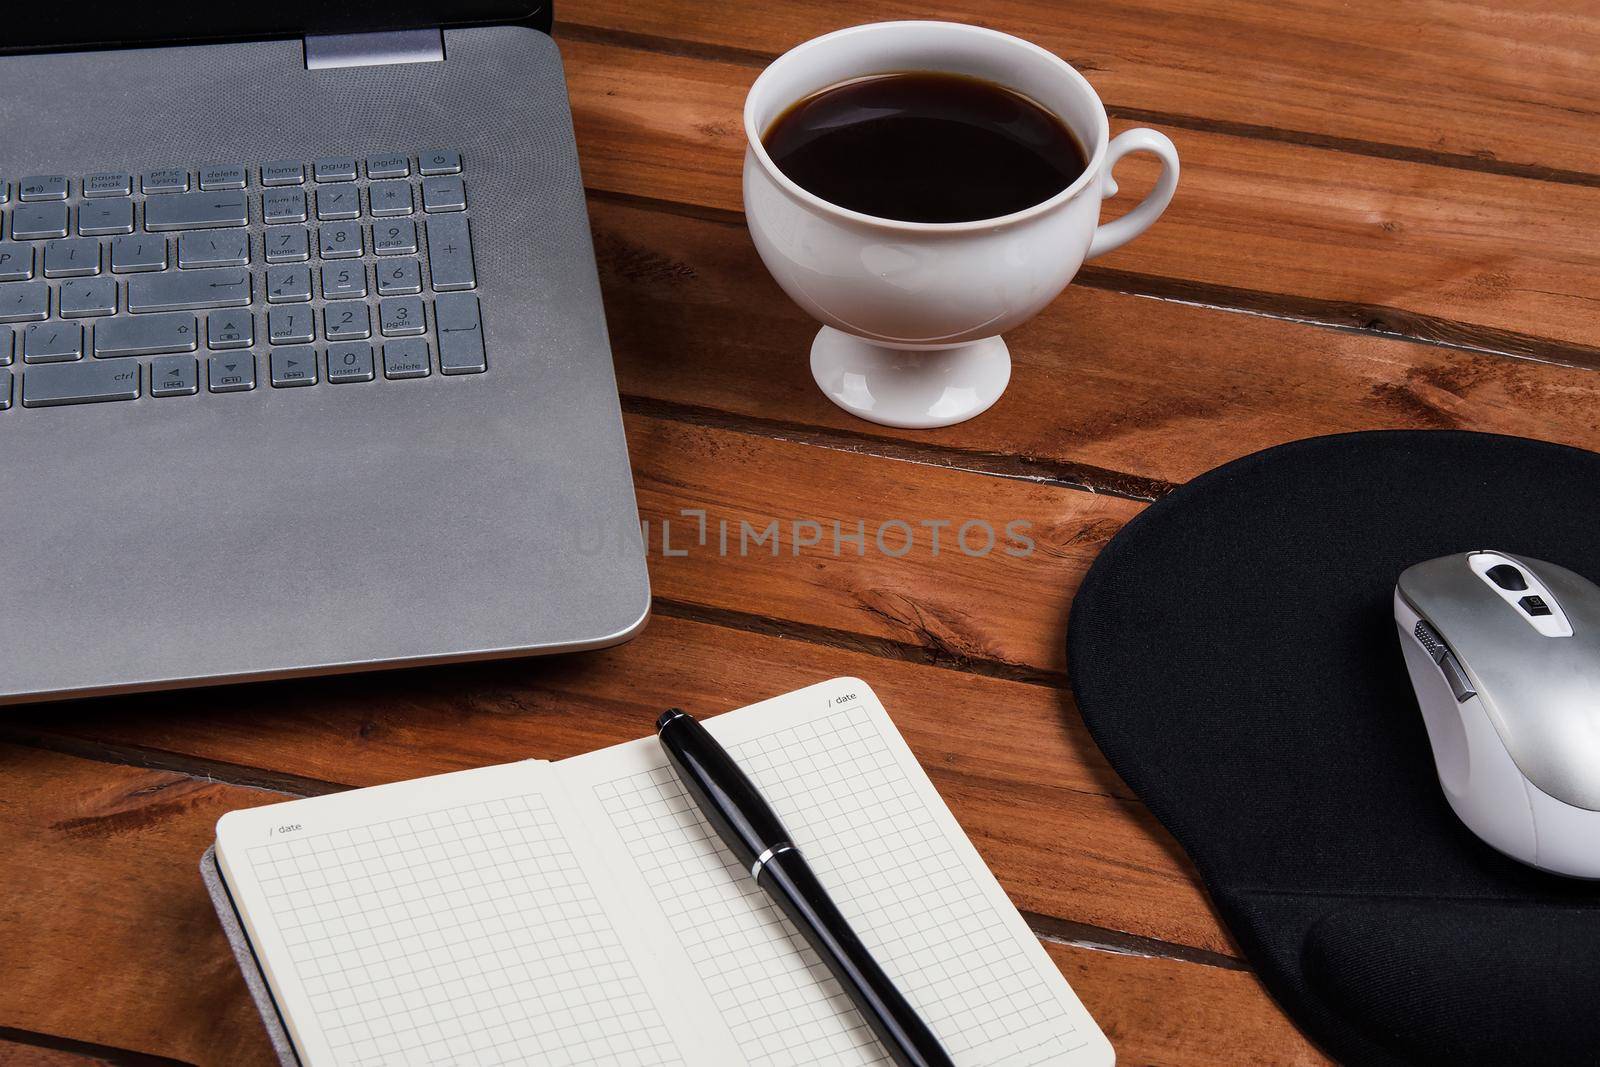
(886, 857)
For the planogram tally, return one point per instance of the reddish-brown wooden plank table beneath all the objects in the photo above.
(1386, 220)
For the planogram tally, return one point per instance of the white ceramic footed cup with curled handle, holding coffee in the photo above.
(913, 311)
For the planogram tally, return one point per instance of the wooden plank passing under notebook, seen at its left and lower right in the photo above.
(100, 876)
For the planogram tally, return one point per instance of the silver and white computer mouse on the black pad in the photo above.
(1505, 657)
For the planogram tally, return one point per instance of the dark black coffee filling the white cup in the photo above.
(926, 148)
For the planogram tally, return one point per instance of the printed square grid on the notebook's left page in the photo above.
(458, 937)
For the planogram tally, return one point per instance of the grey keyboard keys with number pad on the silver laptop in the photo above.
(228, 279)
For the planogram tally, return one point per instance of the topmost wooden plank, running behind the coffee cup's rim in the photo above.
(1505, 87)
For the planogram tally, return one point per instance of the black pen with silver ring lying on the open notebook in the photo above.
(748, 826)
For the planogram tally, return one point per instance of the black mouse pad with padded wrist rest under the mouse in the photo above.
(1234, 655)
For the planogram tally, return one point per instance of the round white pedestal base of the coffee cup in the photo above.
(905, 388)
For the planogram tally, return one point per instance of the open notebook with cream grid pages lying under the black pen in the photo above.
(583, 913)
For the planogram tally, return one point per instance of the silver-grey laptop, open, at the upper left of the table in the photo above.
(303, 364)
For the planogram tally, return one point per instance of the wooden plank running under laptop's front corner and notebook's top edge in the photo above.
(1062, 833)
